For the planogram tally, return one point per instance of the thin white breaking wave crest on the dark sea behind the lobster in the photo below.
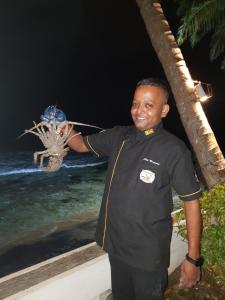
(34, 170)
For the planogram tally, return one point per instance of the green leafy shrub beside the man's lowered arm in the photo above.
(213, 234)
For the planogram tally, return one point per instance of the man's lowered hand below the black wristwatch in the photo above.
(190, 275)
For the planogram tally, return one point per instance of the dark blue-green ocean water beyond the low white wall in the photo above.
(43, 214)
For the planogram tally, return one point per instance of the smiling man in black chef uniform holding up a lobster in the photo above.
(134, 225)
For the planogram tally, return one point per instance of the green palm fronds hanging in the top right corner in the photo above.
(202, 17)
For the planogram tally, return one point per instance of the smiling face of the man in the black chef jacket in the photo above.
(148, 107)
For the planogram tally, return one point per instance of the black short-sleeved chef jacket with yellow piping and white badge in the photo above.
(135, 223)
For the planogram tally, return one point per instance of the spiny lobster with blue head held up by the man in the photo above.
(54, 132)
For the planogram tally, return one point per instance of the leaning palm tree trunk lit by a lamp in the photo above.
(199, 132)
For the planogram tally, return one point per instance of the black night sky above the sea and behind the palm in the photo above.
(86, 57)
